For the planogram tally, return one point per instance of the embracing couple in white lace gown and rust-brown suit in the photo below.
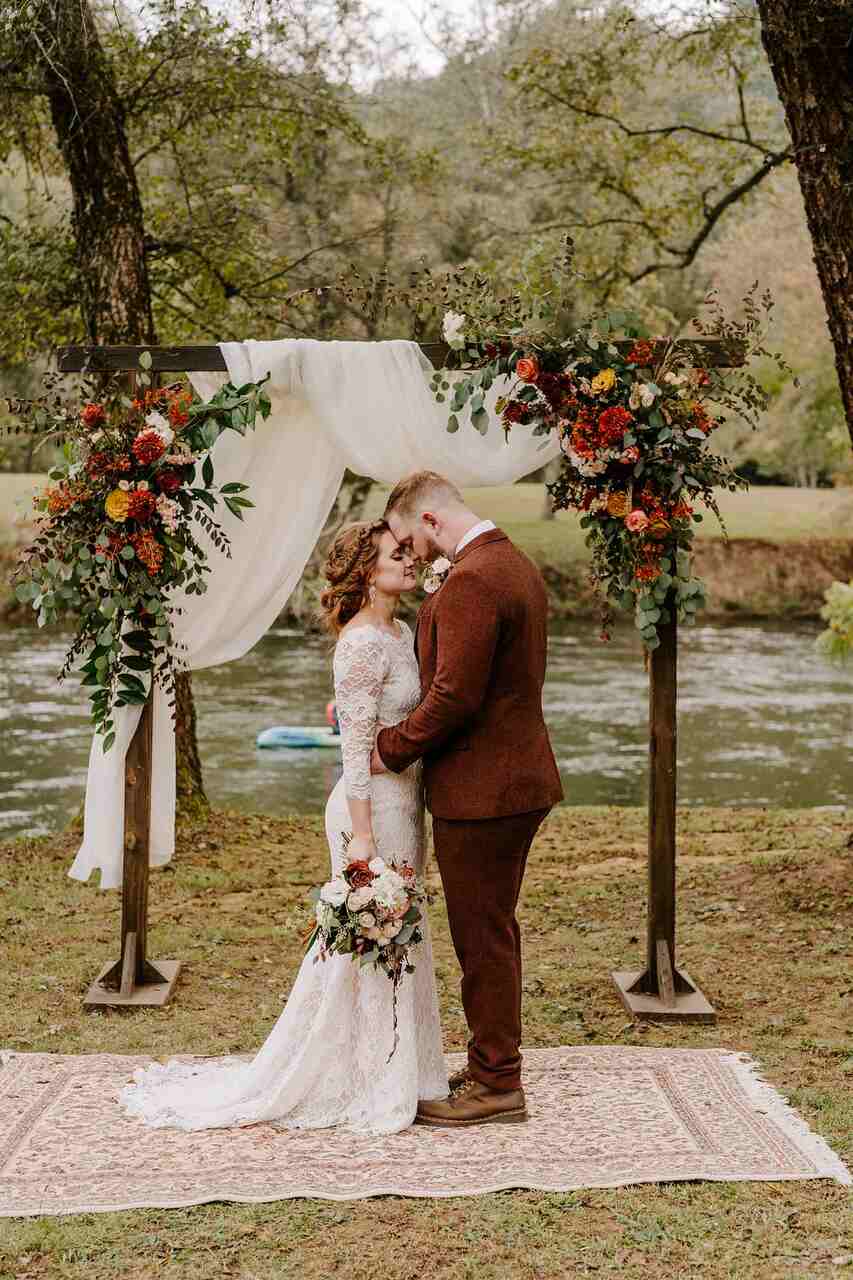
(453, 712)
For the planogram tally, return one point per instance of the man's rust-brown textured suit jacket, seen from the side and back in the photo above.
(481, 642)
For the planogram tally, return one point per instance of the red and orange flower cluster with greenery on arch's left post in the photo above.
(117, 532)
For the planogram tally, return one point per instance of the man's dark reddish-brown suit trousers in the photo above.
(482, 866)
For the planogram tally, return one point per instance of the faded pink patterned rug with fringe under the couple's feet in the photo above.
(599, 1118)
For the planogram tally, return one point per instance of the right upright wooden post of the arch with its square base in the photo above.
(662, 993)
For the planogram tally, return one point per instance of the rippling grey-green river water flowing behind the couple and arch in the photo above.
(763, 721)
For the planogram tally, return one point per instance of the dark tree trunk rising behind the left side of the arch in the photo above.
(110, 234)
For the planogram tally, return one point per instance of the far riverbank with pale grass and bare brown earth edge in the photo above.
(786, 548)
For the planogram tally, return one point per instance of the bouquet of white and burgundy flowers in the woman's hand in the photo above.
(372, 913)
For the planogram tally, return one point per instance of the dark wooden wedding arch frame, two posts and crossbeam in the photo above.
(659, 993)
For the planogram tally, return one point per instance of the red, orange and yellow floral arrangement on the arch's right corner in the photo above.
(635, 418)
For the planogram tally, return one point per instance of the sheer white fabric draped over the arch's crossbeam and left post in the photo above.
(335, 405)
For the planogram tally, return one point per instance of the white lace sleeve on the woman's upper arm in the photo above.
(361, 668)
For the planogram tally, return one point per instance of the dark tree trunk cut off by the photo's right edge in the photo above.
(810, 47)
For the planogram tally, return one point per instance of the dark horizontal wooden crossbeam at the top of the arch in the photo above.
(191, 360)
